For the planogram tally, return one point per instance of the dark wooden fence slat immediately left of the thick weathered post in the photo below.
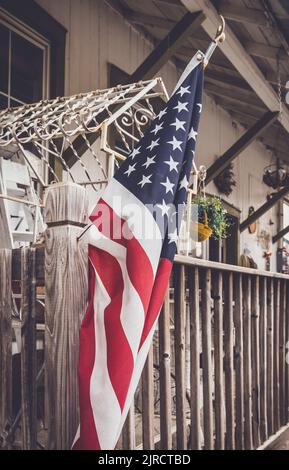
(28, 350)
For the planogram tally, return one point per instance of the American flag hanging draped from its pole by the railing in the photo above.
(130, 271)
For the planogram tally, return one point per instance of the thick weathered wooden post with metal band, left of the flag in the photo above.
(66, 286)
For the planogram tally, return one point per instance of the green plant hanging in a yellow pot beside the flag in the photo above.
(212, 219)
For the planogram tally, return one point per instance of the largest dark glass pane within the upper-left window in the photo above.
(26, 70)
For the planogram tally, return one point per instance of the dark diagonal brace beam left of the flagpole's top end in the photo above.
(168, 46)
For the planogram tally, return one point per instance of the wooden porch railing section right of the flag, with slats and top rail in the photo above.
(220, 355)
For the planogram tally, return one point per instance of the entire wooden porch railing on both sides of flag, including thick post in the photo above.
(216, 376)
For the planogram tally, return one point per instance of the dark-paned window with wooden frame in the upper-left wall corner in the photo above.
(24, 63)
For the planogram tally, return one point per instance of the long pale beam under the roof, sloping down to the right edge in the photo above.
(239, 57)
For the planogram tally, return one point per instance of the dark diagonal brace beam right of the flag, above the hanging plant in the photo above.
(242, 143)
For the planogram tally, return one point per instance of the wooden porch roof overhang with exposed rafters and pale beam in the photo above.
(243, 75)
